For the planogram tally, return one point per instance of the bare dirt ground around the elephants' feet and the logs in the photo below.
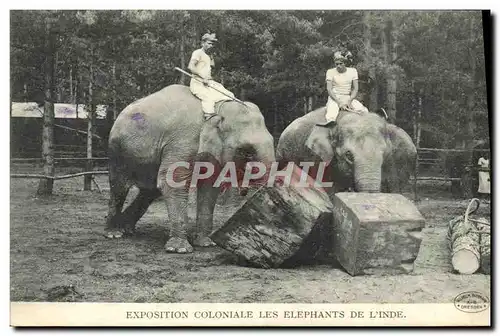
(58, 241)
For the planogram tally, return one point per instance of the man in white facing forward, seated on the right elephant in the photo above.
(342, 87)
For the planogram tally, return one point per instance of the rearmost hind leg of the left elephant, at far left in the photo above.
(119, 188)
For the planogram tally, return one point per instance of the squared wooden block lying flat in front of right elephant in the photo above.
(376, 233)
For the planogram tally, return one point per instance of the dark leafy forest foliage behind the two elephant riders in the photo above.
(278, 59)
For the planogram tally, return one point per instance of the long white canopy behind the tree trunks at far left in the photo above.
(62, 111)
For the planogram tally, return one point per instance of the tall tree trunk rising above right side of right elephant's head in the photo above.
(391, 55)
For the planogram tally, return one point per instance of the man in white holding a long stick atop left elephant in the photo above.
(203, 86)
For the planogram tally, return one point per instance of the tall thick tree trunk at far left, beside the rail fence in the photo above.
(45, 186)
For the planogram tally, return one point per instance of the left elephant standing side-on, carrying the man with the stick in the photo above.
(167, 127)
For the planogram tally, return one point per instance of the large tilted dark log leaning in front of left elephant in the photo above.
(279, 225)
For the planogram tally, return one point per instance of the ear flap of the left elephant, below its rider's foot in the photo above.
(210, 147)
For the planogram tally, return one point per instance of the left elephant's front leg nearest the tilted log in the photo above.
(206, 199)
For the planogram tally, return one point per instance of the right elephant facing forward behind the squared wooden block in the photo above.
(365, 153)
